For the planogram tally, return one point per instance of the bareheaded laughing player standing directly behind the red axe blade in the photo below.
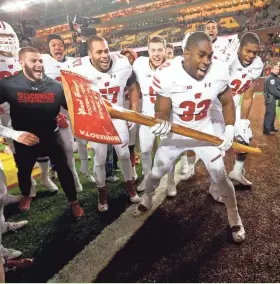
(110, 74)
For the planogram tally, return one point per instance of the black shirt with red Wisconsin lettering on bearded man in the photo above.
(34, 106)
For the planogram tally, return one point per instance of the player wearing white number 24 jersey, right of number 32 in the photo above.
(245, 69)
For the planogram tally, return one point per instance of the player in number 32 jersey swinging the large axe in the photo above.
(185, 92)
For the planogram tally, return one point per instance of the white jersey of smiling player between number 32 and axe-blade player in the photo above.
(144, 76)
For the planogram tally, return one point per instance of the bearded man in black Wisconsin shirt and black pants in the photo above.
(35, 102)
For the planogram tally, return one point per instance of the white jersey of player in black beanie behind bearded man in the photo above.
(52, 67)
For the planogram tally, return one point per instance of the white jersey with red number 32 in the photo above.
(190, 98)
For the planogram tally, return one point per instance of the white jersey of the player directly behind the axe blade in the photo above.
(110, 84)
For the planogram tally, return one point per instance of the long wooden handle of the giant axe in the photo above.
(139, 118)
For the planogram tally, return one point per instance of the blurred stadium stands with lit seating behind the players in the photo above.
(129, 23)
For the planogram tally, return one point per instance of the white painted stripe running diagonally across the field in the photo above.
(86, 265)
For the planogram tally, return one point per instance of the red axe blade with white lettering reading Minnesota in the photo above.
(89, 117)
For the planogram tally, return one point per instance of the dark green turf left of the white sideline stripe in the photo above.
(52, 237)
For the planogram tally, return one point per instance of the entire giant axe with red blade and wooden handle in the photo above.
(90, 115)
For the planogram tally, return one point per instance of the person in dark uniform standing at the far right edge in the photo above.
(271, 94)
